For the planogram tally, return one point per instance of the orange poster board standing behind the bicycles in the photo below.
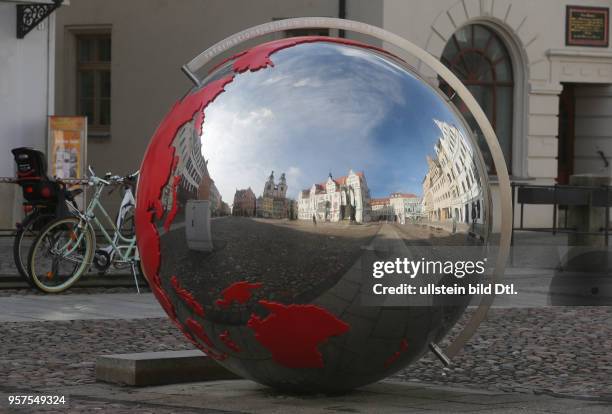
(67, 146)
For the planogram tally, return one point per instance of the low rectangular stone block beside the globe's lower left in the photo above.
(159, 368)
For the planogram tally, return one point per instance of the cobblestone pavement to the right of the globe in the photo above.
(551, 350)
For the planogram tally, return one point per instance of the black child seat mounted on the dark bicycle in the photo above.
(32, 176)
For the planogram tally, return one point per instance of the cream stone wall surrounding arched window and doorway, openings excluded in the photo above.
(534, 33)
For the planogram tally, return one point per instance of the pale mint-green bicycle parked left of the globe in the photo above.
(66, 248)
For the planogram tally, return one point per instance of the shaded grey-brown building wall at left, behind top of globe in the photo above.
(150, 40)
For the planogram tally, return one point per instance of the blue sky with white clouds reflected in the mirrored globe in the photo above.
(323, 108)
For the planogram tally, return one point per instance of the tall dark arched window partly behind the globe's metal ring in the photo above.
(477, 56)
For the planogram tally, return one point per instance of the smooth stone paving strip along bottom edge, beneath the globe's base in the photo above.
(243, 396)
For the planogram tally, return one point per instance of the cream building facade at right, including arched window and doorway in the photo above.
(549, 101)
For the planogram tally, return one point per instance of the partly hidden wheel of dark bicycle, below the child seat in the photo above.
(24, 238)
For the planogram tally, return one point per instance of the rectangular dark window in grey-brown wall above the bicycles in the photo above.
(94, 81)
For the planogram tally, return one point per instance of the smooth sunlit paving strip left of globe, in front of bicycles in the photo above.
(79, 307)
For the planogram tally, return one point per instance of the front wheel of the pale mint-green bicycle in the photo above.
(61, 254)
